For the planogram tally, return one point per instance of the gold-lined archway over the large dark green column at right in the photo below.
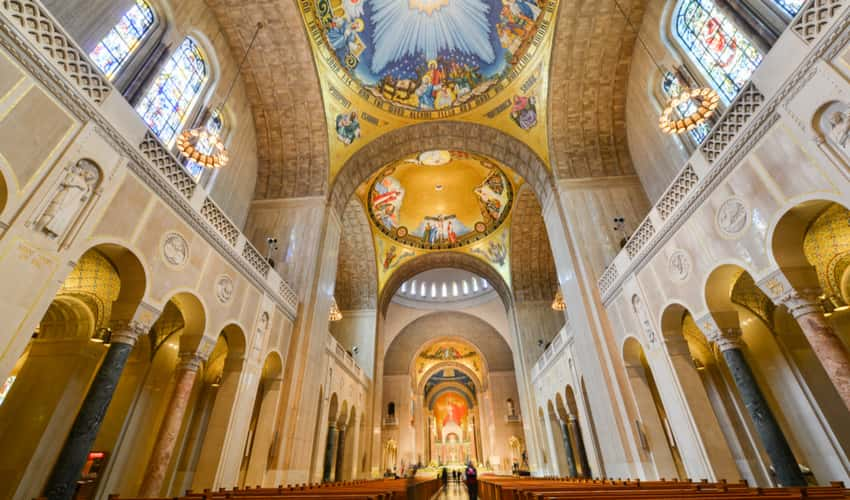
(763, 350)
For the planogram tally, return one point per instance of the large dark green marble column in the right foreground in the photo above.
(784, 464)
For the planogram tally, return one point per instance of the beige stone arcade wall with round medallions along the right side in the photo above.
(781, 161)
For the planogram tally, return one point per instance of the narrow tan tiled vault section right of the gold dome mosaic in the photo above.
(533, 274)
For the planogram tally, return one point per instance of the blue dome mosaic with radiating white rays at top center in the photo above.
(428, 58)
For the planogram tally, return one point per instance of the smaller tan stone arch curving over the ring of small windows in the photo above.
(433, 260)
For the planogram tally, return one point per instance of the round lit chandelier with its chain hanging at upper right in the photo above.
(705, 98)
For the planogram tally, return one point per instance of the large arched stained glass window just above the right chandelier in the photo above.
(713, 41)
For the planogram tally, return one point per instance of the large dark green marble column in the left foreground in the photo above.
(62, 482)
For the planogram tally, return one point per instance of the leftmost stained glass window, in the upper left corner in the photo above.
(115, 48)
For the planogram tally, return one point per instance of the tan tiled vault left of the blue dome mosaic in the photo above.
(283, 88)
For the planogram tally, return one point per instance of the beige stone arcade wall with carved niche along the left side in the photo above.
(142, 217)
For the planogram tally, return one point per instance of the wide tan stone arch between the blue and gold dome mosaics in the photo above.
(464, 136)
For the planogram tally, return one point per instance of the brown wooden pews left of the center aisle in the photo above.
(377, 489)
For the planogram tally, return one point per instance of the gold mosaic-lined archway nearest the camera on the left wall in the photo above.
(47, 386)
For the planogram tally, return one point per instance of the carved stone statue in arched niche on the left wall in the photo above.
(69, 199)
